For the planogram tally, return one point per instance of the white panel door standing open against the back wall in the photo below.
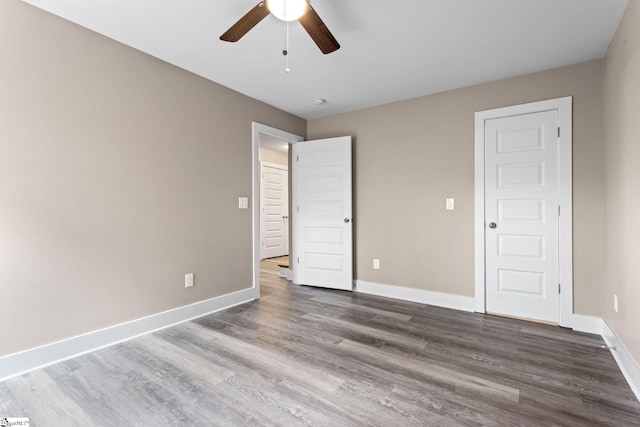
(322, 213)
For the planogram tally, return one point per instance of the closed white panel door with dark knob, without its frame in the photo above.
(521, 216)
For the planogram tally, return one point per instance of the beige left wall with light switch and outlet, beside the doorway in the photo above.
(118, 174)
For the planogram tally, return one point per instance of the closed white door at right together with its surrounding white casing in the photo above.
(530, 236)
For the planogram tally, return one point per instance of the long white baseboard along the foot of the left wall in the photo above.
(20, 363)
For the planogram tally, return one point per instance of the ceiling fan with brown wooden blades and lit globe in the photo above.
(285, 10)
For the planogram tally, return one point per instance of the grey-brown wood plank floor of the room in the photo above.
(313, 357)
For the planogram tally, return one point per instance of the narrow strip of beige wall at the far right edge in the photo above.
(621, 95)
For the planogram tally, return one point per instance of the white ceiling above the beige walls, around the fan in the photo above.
(391, 50)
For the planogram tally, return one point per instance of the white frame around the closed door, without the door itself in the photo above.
(565, 193)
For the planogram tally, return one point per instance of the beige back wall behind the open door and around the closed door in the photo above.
(412, 155)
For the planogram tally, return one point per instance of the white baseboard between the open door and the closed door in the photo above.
(456, 302)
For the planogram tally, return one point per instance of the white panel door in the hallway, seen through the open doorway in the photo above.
(274, 208)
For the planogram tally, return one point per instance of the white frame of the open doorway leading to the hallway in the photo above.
(258, 129)
